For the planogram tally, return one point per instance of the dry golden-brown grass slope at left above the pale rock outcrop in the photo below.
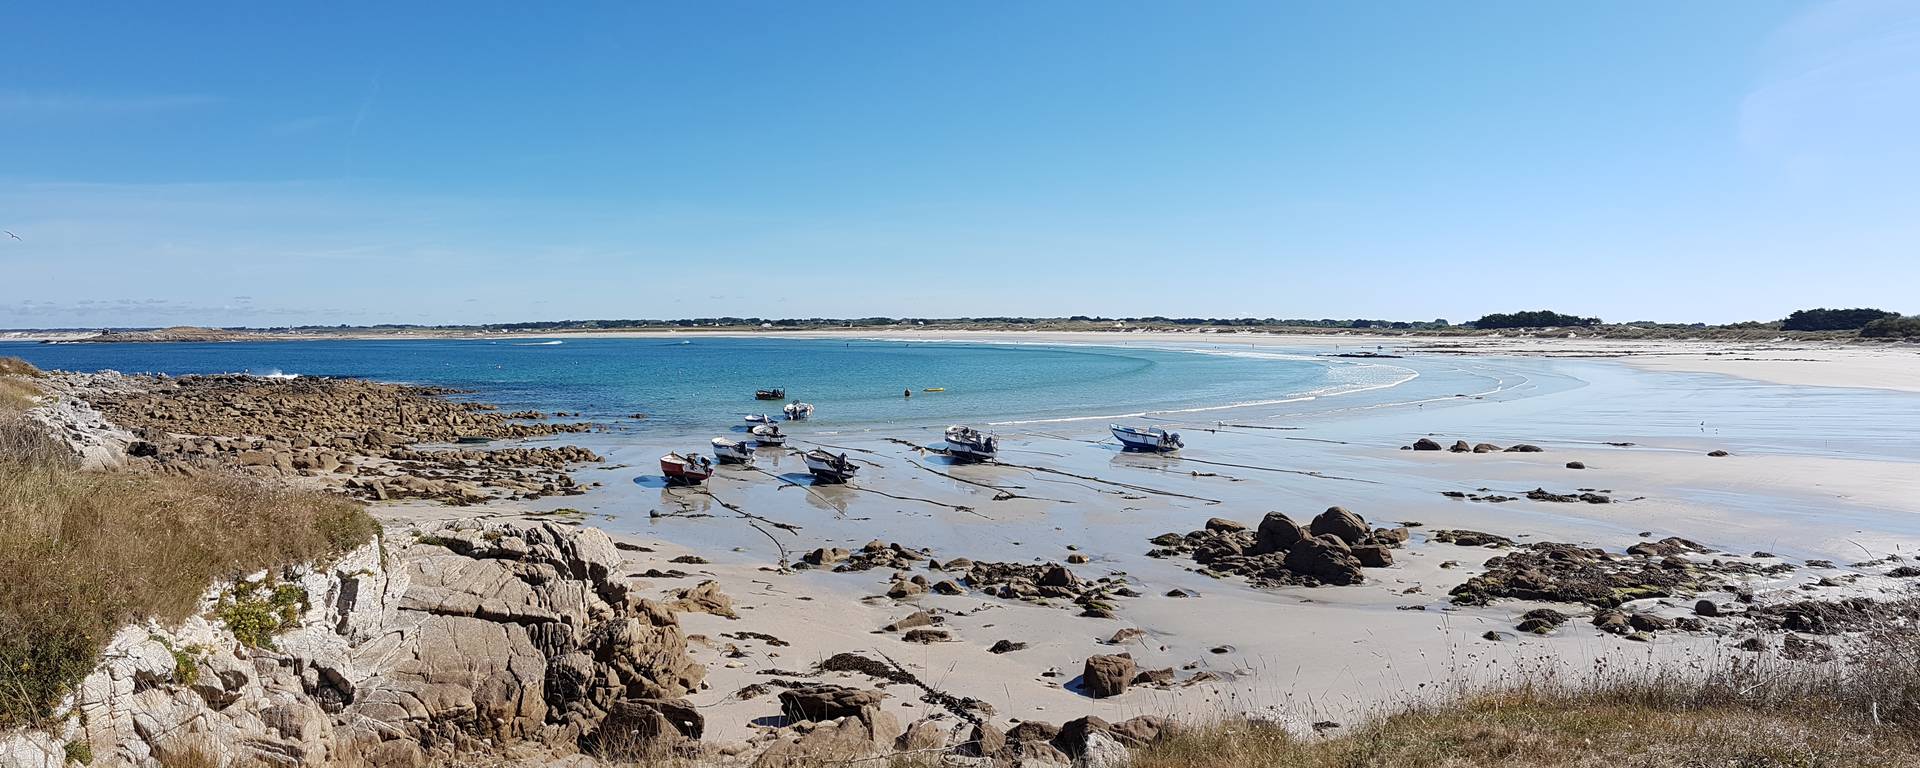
(84, 554)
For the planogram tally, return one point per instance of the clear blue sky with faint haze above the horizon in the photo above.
(274, 164)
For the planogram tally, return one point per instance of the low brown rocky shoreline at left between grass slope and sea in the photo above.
(345, 435)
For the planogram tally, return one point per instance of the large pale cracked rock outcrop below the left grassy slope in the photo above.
(473, 636)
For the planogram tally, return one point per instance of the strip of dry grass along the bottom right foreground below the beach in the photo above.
(1861, 709)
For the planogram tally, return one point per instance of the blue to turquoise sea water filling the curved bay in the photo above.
(711, 381)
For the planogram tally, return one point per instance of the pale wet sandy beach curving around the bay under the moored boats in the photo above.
(1297, 656)
